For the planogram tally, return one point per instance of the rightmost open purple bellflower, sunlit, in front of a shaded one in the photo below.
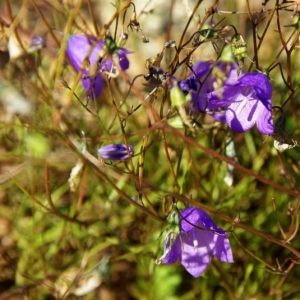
(246, 102)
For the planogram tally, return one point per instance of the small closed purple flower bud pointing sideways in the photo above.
(116, 152)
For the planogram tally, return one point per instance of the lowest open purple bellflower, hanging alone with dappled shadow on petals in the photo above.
(193, 238)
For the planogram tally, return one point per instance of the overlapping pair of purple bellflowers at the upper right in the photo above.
(238, 101)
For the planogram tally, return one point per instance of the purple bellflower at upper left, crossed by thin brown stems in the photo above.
(89, 54)
